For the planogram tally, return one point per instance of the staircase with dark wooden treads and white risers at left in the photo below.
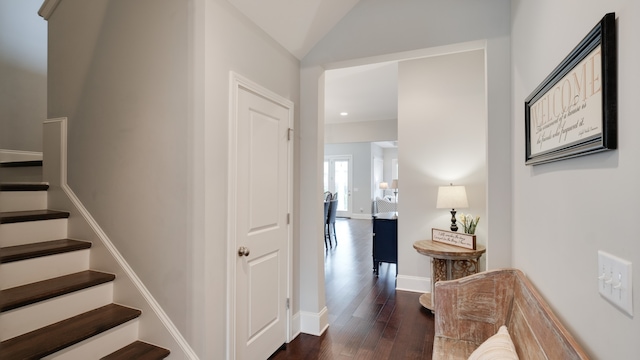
(52, 305)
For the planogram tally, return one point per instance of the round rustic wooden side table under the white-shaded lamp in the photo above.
(448, 262)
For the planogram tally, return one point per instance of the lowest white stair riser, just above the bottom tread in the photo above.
(100, 345)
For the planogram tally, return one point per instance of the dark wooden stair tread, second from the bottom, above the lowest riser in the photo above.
(39, 343)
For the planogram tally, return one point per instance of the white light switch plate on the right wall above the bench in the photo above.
(614, 281)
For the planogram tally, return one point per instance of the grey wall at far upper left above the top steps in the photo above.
(23, 74)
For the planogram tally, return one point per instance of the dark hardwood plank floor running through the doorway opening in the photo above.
(368, 318)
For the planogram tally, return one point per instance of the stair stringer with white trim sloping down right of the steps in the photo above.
(154, 325)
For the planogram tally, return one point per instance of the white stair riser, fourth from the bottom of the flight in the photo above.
(32, 231)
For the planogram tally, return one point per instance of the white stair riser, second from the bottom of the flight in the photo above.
(31, 317)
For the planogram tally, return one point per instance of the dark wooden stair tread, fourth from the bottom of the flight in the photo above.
(29, 251)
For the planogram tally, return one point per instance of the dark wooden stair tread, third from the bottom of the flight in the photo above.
(23, 295)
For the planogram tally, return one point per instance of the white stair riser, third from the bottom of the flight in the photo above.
(27, 271)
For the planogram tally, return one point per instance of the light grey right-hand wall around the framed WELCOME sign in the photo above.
(565, 212)
